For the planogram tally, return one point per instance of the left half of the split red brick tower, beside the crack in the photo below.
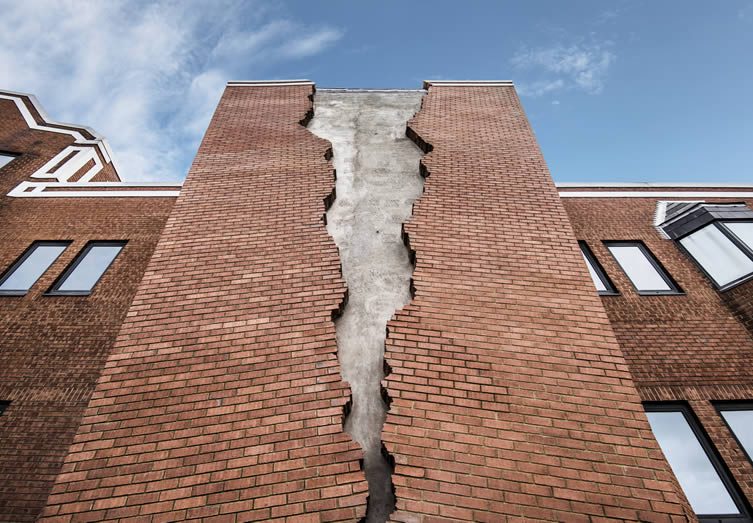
(223, 399)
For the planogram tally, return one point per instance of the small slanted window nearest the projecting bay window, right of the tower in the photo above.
(644, 271)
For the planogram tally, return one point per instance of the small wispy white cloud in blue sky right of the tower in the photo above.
(579, 66)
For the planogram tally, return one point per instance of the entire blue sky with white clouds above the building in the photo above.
(616, 91)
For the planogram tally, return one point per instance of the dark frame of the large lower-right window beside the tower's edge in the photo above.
(714, 457)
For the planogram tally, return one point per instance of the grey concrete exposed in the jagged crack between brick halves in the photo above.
(377, 182)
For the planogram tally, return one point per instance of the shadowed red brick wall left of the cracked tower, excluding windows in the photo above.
(53, 348)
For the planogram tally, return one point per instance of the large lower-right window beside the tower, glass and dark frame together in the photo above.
(701, 474)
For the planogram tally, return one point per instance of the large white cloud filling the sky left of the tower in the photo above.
(145, 74)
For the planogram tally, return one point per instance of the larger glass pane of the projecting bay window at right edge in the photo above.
(716, 253)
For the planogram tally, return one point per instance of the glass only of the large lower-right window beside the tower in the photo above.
(697, 476)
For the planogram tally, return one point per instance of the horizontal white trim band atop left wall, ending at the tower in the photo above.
(130, 190)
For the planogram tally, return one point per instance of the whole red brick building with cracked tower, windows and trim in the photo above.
(437, 333)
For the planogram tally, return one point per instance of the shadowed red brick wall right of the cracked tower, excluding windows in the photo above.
(690, 347)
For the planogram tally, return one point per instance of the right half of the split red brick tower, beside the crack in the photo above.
(511, 398)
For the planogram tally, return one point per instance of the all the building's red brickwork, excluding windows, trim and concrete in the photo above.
(200, 380)
